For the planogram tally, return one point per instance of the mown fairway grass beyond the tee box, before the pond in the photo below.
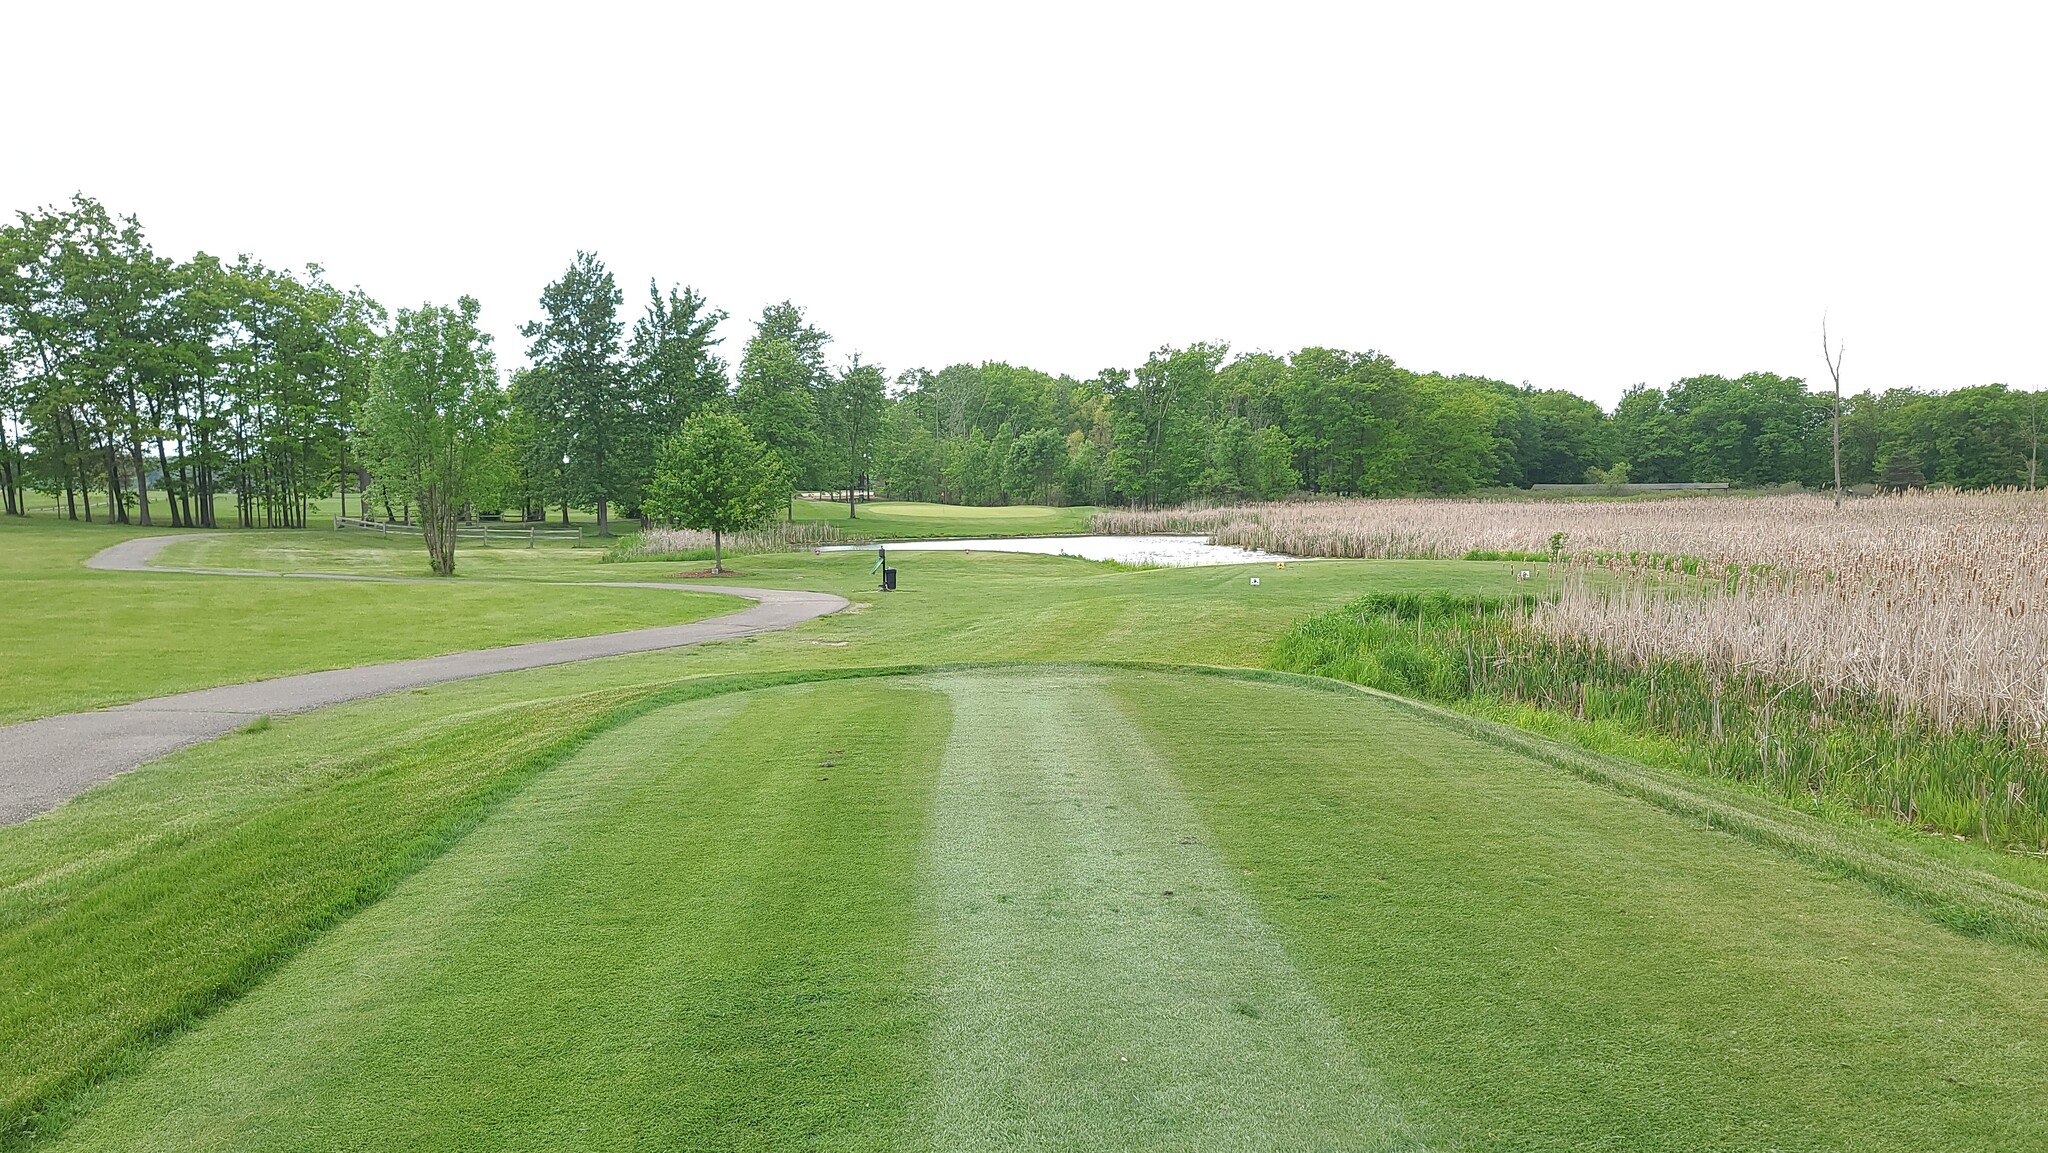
(949, 607)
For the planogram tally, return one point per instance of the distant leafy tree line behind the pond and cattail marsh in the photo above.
(1201, 425)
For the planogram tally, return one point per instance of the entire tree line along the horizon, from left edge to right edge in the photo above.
(146, 390)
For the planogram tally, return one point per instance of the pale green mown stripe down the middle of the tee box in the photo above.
(1099, 980)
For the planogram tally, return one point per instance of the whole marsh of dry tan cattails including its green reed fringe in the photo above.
(1912, 620)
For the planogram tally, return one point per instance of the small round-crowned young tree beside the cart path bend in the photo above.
(716, 476)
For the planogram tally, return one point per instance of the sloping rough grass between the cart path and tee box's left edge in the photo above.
(146, 906)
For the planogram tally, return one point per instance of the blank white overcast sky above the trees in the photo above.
(1568, 196)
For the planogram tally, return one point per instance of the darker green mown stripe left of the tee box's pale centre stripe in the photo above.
(691, 935)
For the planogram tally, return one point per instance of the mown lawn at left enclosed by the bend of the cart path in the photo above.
(81, 638)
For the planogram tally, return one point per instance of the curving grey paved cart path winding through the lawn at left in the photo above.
(46, 763)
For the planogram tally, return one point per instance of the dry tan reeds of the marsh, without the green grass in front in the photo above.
(1934, 603)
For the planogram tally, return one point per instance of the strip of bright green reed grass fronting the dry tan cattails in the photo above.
(1779, 736)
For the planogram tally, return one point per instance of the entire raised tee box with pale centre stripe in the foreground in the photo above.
(1078, 908)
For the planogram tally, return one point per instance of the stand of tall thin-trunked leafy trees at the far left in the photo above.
(148, 388)
